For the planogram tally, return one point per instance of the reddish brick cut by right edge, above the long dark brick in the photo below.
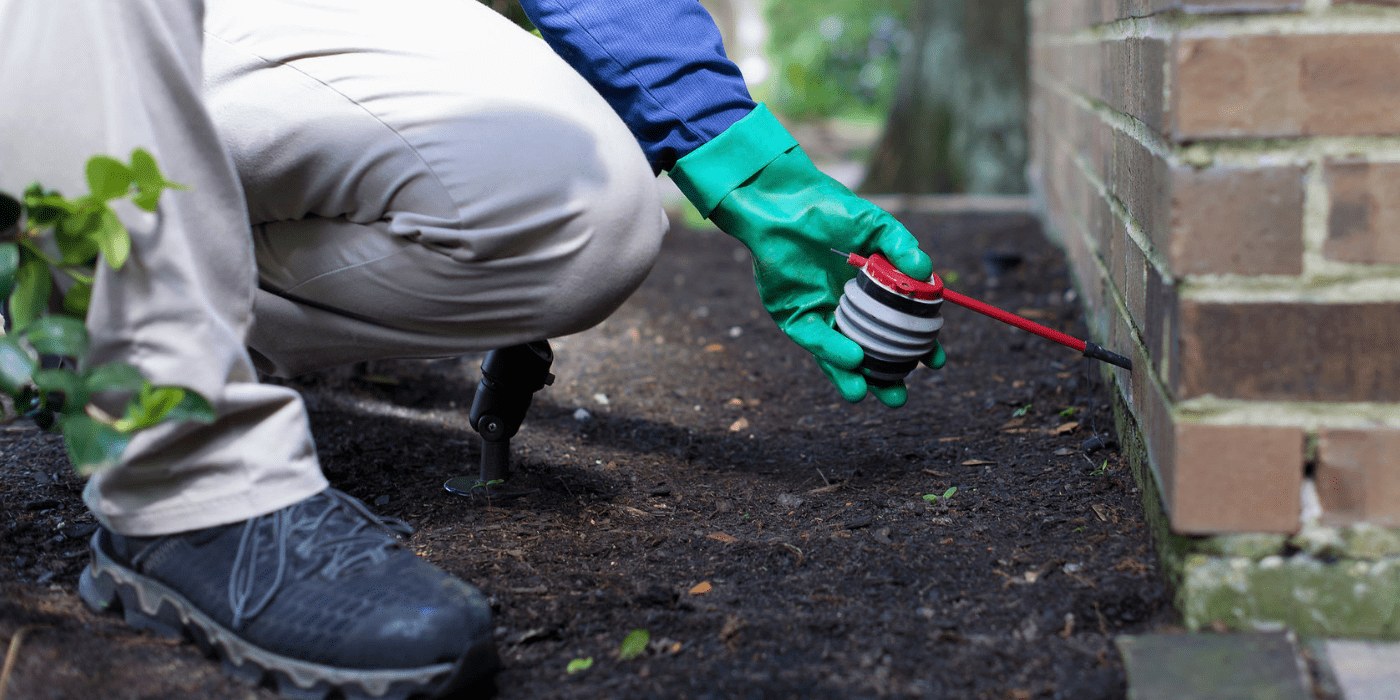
(1366, 213)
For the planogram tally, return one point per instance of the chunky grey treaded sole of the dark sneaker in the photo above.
(110, 587)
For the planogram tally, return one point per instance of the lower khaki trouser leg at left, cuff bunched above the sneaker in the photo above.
(85, 78)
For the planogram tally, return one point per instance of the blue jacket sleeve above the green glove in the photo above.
(660, 64)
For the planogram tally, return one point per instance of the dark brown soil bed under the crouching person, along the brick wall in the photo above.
(715, 457)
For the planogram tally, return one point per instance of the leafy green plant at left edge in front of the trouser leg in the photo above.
(57, 395)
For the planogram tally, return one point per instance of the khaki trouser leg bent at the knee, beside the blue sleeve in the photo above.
(425, 180)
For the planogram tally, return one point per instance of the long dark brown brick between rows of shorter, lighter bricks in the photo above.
(1290, 352)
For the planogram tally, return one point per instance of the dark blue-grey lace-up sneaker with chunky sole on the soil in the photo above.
(313, 600)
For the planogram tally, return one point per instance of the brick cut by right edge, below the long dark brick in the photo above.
(1359, 475)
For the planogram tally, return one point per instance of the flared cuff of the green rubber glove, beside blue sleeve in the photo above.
(713, 171)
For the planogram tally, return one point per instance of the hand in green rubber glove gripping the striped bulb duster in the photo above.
(755, 184)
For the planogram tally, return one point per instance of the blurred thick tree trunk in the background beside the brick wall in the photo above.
(960, 117)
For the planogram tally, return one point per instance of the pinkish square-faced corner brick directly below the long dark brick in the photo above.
(1237, 479)
